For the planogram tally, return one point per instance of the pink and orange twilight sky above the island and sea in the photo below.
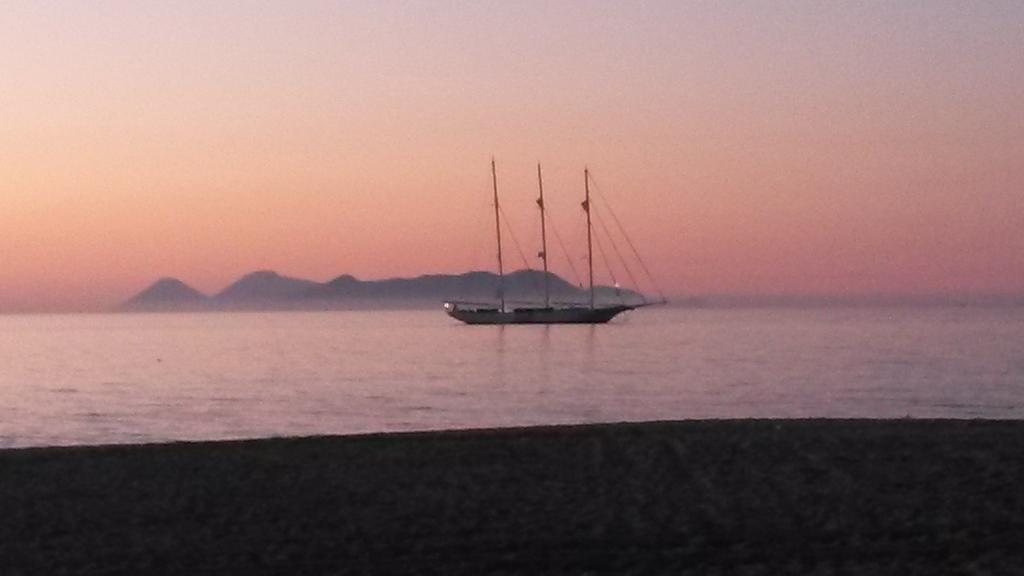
(770, 147)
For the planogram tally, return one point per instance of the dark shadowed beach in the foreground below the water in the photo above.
(701, 498)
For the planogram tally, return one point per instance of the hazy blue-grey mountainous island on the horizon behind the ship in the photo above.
(268, 291)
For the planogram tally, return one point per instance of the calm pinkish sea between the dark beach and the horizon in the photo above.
(133, 379)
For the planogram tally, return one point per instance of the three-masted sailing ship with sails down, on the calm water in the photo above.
(564, 314)
